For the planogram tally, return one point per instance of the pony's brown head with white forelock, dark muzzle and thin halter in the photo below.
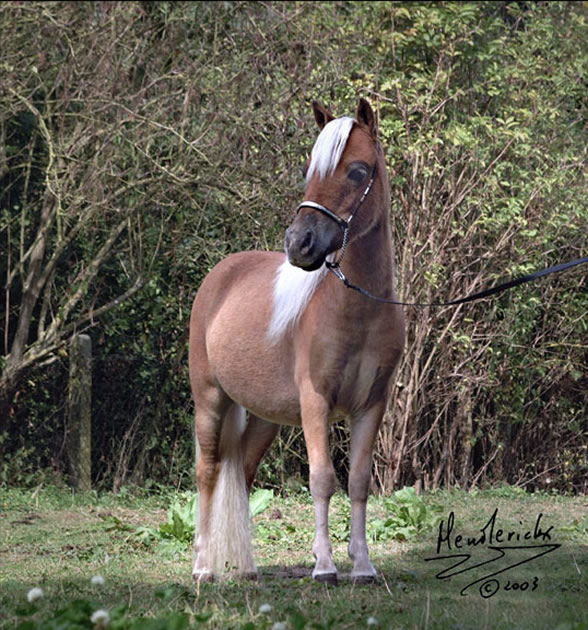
(339, 176)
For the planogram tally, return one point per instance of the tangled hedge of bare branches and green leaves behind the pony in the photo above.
(142, 142)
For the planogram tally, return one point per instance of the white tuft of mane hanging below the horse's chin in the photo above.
(293, 288)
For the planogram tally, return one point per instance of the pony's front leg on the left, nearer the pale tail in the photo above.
(322, 482)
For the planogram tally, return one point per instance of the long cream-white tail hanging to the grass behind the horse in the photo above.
(228, 548)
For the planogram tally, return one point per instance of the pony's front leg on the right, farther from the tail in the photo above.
(363, 435)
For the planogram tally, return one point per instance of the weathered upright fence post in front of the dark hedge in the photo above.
(80, 411)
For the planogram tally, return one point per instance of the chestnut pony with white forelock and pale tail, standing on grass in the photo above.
(277, 336)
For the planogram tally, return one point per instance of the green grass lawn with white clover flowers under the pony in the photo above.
(57, 541)
